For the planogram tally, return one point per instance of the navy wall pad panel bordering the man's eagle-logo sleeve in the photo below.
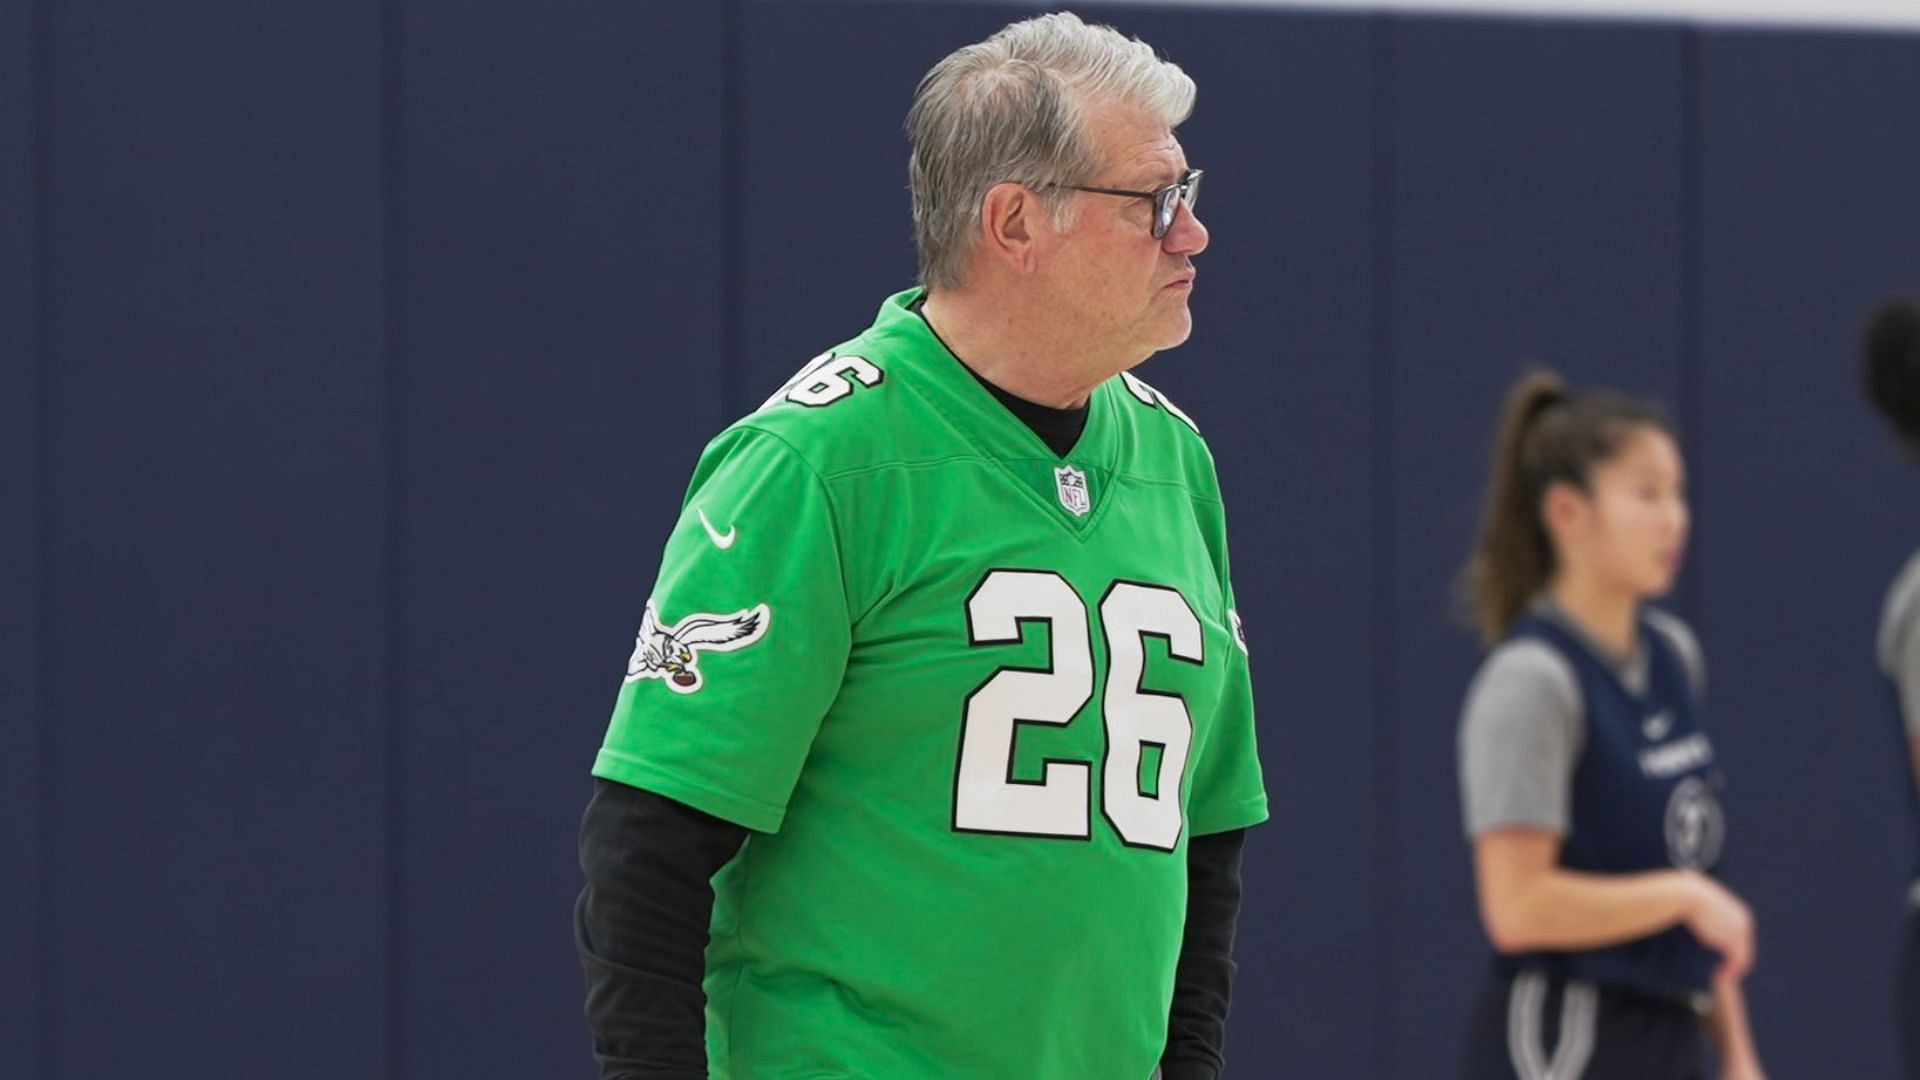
(558, 360)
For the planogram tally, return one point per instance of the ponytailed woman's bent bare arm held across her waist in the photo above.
(1529, 902)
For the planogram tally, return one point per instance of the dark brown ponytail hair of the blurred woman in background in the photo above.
(1548, 435)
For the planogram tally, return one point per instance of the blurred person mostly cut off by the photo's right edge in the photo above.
(1892, 374)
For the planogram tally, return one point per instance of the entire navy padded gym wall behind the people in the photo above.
(356, 356)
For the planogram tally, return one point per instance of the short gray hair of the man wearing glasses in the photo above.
(1013, 109)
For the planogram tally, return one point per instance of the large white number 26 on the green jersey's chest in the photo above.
(988, 798)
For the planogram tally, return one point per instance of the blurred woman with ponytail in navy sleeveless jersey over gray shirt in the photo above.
(1589, 783)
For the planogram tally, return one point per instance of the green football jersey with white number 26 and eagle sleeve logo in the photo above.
(972, 699)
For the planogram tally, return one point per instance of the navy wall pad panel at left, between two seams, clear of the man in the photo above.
(214, 510)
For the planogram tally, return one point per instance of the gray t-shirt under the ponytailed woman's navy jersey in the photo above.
(1525, 724)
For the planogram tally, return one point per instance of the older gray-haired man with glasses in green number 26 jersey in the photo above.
(938, 747)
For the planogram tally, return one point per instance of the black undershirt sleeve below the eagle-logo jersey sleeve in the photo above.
(642, 929)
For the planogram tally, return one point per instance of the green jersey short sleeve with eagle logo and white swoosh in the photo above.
(742, 645)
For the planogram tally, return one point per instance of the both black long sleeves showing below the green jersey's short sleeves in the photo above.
(642, 929)
